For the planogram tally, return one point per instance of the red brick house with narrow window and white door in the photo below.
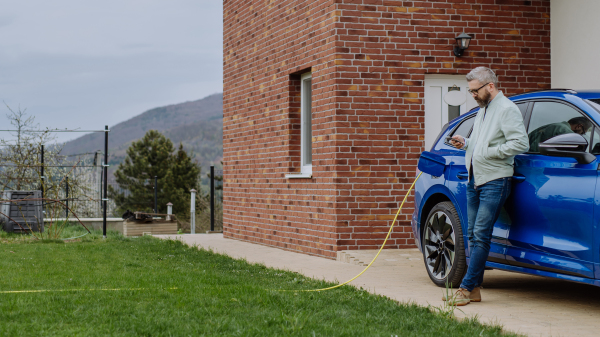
(328, 104)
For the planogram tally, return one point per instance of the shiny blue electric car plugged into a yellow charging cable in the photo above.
(549, 225)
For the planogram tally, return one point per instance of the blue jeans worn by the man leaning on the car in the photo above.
(484, 204)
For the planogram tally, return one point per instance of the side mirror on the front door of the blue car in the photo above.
(568, 145)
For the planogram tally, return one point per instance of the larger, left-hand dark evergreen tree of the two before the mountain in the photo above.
(149, 157)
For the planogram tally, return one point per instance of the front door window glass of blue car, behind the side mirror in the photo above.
(550, 119)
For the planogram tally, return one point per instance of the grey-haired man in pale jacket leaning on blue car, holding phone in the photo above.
(498, 135)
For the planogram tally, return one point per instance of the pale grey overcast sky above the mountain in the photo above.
(86, 64)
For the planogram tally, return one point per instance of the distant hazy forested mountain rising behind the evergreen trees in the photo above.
(198, 125)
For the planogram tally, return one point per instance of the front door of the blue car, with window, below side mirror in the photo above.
(551, 204)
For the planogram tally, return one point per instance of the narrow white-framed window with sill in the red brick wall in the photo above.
(305, 127)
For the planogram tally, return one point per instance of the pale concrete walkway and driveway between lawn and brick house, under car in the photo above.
(524, 304)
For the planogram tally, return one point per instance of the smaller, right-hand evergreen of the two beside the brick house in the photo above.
(182, 177)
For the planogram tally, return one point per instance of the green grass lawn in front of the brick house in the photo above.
(214, 295)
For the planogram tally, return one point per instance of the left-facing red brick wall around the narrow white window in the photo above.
(267, 45)
